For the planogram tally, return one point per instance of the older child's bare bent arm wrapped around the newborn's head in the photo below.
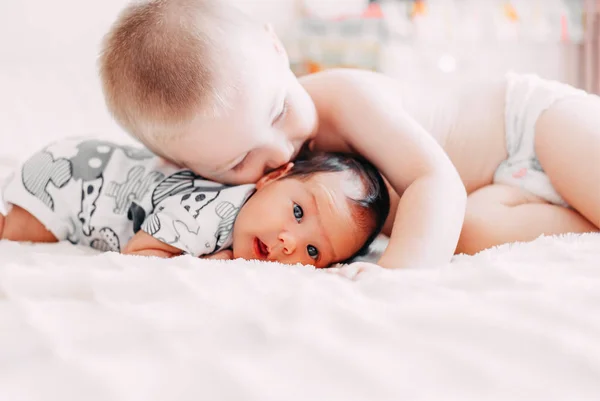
(368, 113)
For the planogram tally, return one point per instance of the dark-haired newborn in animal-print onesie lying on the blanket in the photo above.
(320, 210)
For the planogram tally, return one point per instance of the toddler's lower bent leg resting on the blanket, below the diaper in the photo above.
(498, 214)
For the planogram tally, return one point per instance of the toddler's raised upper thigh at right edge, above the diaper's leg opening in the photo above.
(567, 144)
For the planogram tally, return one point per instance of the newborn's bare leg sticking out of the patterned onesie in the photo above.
(20, 225)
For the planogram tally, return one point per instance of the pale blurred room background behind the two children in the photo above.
(48, 50)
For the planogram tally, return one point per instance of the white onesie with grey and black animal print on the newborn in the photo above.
(98, 193)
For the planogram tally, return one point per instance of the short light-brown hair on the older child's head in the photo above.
(162, 61)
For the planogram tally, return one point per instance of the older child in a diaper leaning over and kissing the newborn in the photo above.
(509, 159)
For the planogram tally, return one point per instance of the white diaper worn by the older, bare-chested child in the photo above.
(527, 97)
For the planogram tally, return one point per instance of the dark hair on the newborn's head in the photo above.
(373, 206)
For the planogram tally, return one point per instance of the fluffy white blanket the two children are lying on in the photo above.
(516, 322)
